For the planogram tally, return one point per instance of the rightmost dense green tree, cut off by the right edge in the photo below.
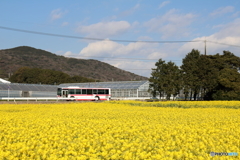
(228, 77)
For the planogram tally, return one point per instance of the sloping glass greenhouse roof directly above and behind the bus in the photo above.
(112, 85)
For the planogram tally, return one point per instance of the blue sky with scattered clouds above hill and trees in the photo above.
(131, 21)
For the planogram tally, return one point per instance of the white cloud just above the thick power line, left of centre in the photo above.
(104, 29)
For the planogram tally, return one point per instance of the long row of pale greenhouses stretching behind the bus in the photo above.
(119, 89)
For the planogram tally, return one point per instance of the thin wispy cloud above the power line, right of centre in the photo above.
(172, 24)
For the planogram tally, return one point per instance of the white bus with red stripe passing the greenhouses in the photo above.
(87, 94)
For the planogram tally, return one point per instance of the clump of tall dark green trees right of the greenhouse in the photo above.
(200, 77)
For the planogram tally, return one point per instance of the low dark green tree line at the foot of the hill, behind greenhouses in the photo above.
(45, 76)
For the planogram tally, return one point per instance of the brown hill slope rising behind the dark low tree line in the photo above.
(13, 59)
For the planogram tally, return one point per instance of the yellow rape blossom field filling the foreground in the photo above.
(118, 130)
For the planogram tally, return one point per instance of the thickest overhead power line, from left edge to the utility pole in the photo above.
(89, 38)
